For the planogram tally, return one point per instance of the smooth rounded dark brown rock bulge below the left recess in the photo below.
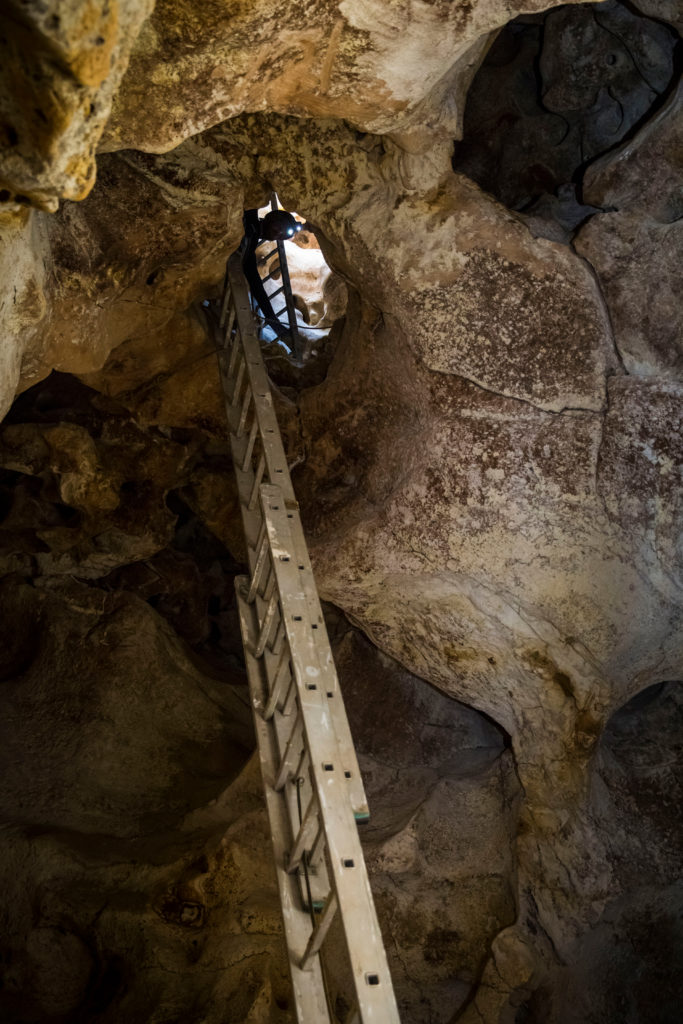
(102, 780)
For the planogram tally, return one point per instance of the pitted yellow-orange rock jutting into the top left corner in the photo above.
(61, 65)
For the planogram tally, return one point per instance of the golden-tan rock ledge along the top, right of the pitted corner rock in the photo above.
(385, 68)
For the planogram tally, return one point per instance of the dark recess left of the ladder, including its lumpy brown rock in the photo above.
(189, 580)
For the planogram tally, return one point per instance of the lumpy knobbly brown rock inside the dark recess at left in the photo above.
(95, 505)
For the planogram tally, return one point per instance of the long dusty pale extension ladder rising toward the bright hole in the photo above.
(314, 791)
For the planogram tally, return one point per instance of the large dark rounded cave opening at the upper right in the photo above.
(557, 92)
